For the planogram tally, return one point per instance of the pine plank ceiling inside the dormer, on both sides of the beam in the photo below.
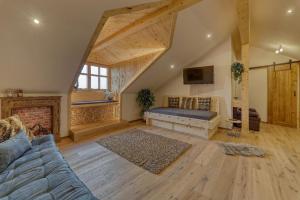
(152, 39)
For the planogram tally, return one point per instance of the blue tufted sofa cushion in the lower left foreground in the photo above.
(41, 173)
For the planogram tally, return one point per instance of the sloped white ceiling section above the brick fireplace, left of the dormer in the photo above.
(45, 57)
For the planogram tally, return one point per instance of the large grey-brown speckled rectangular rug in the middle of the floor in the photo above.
(149, 151)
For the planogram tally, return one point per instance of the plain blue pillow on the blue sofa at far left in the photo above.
(12, 149)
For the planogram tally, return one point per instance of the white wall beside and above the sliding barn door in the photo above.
(258, 79)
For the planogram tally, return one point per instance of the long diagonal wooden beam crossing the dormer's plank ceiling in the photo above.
(171, 8)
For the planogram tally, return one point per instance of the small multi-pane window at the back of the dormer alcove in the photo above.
(93, 77)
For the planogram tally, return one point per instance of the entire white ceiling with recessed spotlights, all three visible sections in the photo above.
(46, 57)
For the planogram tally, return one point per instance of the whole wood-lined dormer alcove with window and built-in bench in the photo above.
(128, 41)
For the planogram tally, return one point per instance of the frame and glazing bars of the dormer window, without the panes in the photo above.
(90, 75)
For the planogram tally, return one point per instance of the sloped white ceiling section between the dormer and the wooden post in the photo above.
(190, 43)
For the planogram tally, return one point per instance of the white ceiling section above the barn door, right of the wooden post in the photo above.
(271, 26)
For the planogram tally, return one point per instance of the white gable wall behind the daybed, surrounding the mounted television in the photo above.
(221, 58)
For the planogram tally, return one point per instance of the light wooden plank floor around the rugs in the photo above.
(202, 173)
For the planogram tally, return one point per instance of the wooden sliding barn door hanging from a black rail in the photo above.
(282, 94)
